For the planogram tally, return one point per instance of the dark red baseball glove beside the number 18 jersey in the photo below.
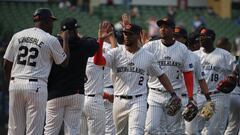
(227, 85)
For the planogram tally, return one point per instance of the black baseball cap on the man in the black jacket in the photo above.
(69, 23)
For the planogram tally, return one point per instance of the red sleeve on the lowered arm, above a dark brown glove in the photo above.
(188, 78)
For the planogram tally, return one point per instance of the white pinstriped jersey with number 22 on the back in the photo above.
(32, 52)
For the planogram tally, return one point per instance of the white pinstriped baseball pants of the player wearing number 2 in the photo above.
(129, 115)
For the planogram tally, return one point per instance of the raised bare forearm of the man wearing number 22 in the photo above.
(65, 37)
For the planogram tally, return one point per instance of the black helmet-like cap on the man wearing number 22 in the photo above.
(43, 14)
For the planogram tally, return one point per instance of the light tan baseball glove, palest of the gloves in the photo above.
(207, 110)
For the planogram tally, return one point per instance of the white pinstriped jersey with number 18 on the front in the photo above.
(216, 65)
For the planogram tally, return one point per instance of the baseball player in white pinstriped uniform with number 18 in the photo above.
(216, 64)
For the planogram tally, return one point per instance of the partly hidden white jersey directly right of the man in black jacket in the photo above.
(93, 73)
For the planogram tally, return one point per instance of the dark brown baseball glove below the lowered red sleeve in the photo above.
(190, 111)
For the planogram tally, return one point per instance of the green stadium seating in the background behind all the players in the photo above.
(15, 16)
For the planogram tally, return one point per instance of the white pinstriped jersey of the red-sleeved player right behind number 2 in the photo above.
(173, 60)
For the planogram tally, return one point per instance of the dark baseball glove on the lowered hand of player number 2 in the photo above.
(173, 106)
